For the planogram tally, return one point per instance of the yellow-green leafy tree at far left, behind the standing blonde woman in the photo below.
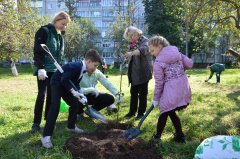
(17, 29)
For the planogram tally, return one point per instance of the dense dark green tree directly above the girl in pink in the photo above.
(162, 18)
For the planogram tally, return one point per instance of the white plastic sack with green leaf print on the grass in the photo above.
(219, 147)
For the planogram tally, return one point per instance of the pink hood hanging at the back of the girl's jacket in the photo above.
(169, 55)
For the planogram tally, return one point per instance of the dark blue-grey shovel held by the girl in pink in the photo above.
(133, 133)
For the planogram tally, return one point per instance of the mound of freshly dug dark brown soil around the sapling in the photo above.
(104, 143)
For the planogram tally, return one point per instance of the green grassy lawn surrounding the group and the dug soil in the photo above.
(214, 110)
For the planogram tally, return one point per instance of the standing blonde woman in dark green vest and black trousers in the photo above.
(43, 67)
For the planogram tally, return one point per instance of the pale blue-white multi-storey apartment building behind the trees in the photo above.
(102, 13)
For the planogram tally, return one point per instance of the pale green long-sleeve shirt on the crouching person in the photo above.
(88, 82)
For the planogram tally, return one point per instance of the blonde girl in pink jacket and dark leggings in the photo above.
(172, 90)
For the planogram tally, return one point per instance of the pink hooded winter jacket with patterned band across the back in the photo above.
(172, 89)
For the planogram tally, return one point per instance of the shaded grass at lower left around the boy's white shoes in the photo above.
(27, 145)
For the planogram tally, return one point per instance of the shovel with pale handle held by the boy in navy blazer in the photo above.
(89, 111)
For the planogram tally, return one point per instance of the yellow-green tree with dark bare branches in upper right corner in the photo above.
(208, 19)
